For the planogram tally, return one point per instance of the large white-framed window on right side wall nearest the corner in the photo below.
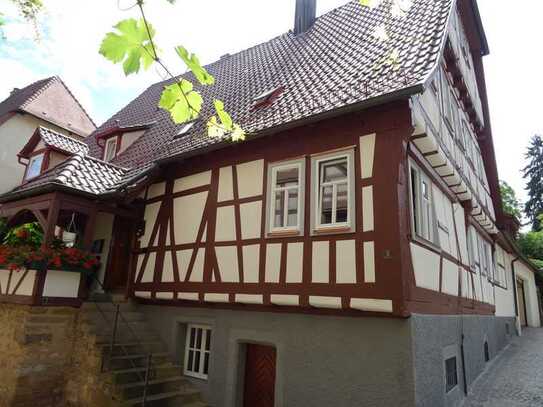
(422, 205)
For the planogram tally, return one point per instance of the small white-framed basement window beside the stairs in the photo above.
(197, 351)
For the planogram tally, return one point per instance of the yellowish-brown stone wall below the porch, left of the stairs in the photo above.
(48, 359)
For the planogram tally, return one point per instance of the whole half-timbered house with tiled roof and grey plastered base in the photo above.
(353, 251)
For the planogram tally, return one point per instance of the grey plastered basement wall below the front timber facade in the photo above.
(322, 361)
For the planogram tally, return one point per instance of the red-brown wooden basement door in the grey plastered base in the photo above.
(259, 376)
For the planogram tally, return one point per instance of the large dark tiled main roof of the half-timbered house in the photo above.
(335, 64)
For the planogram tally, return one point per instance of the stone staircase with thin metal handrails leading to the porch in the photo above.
(125, 365)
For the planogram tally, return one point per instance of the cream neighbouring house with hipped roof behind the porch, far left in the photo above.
(47, 103)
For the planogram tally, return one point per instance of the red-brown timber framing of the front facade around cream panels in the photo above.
(392, 231)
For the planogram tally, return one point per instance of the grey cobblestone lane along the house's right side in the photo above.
(515, 378)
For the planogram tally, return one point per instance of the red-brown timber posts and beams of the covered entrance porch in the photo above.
(46, 209)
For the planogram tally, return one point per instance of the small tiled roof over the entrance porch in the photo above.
(82, 173)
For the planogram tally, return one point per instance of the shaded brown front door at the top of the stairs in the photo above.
(119, 254)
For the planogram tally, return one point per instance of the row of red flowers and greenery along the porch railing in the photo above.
(65, 258)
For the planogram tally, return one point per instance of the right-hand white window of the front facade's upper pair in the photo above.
(333, 200)
